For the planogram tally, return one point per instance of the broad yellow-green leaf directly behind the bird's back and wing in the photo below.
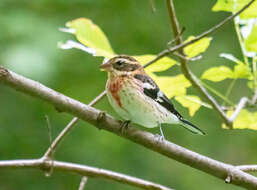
(172, 86)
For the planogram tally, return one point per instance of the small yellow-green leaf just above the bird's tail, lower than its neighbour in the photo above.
(190, 102)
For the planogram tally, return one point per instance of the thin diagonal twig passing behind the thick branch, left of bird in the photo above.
(50, 151)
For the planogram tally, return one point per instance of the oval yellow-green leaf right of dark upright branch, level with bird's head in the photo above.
(218, 73)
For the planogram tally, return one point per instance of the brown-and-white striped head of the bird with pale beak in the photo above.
(121, 65)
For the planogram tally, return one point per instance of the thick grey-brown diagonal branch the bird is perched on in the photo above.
(146, 139)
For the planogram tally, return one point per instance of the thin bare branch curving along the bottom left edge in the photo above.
(82, 170)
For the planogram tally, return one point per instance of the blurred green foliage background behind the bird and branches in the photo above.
(28, 45)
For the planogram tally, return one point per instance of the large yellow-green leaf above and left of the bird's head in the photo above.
(91, 36)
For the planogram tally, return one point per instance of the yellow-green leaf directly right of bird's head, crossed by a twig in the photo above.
(161, 65)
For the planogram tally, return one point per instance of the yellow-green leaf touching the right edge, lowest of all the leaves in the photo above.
(244, 120)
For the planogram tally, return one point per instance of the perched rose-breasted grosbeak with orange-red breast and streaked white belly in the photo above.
(137, 98)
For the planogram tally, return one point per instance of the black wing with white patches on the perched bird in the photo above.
(153, 91)
